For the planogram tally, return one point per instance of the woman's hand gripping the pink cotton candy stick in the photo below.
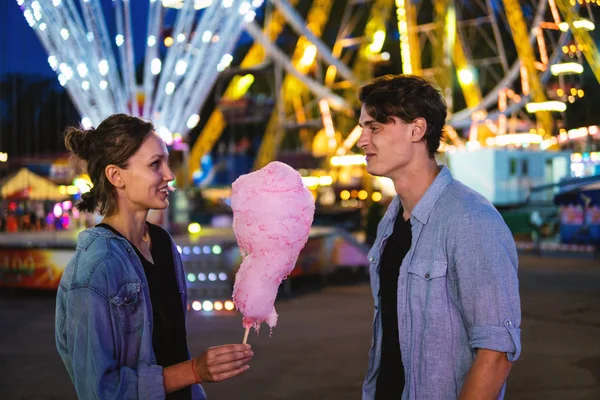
(222, 362)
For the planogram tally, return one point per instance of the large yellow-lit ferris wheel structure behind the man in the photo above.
(517, 64)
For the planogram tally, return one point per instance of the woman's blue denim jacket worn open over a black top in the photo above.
(104, 320)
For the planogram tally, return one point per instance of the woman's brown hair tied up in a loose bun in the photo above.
(114, 141)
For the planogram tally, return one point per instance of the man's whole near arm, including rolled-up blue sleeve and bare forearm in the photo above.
(485, 262)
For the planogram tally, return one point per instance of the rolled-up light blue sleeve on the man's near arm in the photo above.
(486, 264)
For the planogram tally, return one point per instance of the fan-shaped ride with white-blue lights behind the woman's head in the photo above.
(90, 45)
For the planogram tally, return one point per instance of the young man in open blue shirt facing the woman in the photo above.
(443, 265)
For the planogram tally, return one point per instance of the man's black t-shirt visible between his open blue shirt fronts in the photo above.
(390, 381)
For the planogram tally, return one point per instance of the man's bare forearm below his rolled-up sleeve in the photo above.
(486, 376)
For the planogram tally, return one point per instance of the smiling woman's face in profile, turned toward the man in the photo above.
(147, 176)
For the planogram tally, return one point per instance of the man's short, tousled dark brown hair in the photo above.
(407, 97)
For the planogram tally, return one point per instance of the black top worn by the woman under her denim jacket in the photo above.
(169, 338)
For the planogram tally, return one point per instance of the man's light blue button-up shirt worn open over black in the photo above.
(458, 290)
